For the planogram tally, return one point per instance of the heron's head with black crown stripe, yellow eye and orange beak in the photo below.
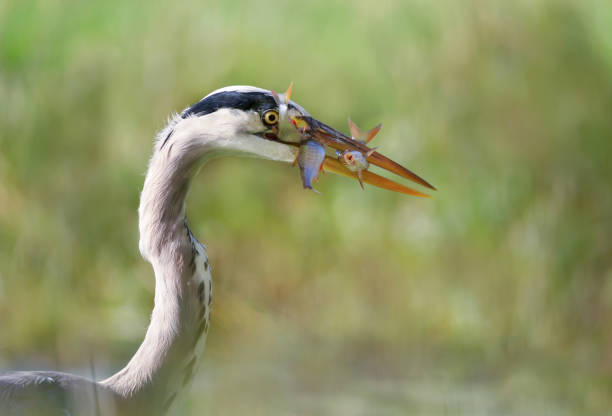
(256, 122)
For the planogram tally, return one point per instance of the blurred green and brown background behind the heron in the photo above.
(494, 297)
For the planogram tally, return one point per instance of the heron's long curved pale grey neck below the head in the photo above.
(168, 356)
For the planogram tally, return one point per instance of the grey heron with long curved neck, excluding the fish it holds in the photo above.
(237, 120)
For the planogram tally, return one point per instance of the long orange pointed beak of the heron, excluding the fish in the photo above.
(335, 139)
